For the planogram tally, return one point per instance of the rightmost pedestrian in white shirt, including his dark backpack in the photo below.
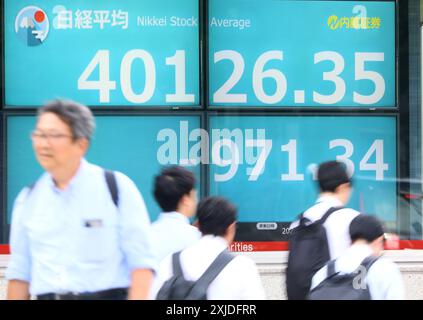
(360, 273)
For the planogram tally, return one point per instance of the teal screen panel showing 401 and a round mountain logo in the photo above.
(142, 53)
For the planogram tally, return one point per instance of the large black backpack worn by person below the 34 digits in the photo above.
(308, 252)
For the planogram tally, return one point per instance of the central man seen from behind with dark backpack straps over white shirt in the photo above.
(206, 270)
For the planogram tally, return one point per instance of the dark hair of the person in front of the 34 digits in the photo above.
(332, 174)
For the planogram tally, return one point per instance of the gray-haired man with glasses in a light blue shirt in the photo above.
(79, 232)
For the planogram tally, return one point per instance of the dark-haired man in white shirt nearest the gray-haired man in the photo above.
(175, 193)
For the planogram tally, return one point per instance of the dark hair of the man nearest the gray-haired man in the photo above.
(171, 185)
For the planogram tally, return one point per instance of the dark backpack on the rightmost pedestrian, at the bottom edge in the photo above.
(338, 286)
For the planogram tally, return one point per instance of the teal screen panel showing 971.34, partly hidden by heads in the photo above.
(268, 164)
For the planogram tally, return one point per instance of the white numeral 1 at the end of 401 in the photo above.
(180, 95)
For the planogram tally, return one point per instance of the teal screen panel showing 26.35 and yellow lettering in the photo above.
(302, 53)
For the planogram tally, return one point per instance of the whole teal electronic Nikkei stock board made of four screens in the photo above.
(267, 56)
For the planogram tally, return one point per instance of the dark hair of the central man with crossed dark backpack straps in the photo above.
(215, 215)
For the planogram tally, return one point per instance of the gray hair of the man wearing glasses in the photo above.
(78, 117)
